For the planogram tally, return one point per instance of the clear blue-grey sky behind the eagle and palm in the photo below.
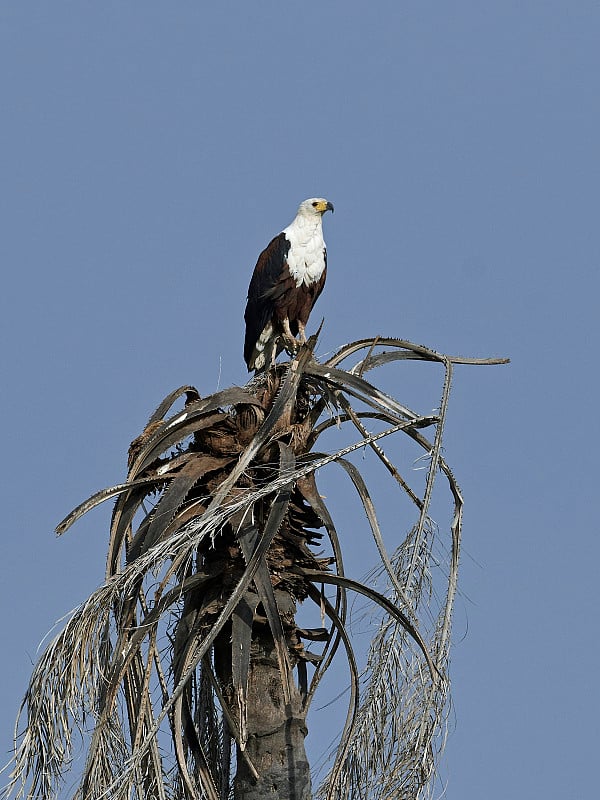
(149, 151)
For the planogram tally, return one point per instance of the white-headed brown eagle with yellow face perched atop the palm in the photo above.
(287, 280)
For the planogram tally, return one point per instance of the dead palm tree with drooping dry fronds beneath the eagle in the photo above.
(186, 673)
